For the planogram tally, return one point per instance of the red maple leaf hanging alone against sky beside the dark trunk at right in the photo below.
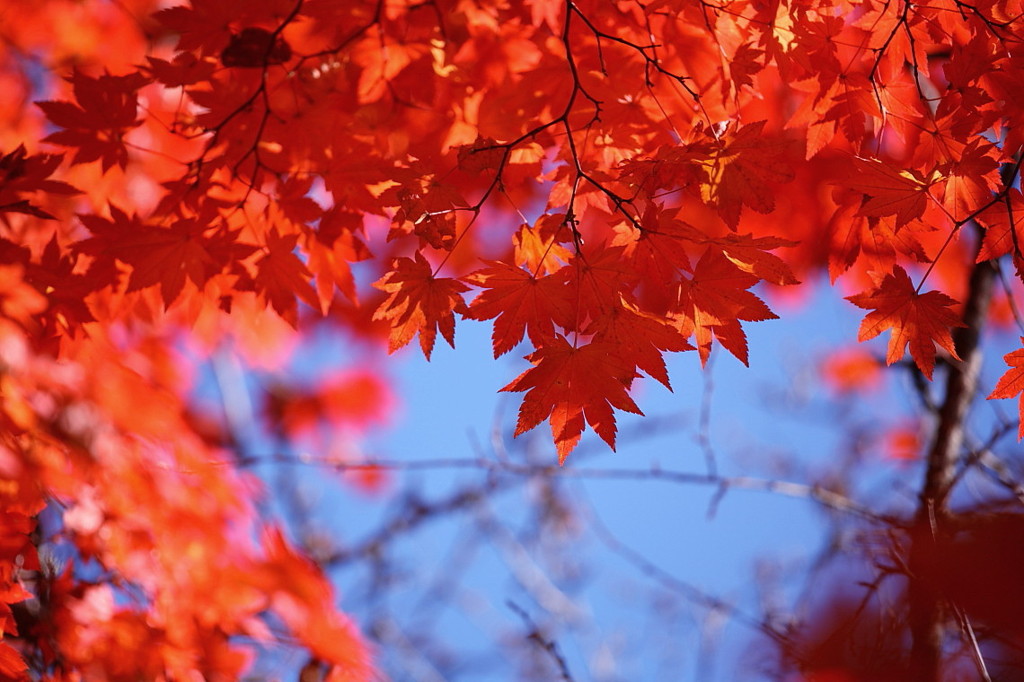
(921, 320)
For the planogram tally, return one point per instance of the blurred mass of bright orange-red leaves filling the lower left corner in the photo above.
(146, 498)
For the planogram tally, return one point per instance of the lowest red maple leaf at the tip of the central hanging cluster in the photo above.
(569, 387)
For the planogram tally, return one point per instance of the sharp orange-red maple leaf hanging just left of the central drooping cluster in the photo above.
(419, 303)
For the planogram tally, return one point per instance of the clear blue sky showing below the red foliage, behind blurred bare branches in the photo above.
(618, 587)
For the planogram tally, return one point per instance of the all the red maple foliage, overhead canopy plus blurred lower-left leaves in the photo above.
(602, 181)
